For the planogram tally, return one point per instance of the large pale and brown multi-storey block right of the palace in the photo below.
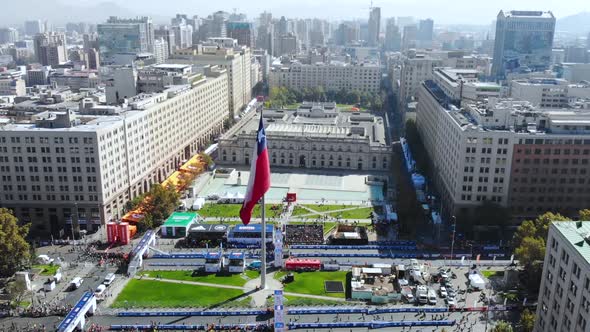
(501, 150)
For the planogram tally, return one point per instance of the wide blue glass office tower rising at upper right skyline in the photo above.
(524, 40)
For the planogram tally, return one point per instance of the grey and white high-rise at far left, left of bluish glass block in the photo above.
(51, 49)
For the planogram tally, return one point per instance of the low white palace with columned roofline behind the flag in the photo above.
(317, 135)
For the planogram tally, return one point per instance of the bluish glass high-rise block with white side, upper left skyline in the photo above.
(120, 35)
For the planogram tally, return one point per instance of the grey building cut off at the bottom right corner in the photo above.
(564, 296)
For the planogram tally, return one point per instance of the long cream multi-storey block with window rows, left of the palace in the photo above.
(87, 164)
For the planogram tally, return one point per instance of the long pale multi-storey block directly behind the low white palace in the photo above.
(363, 77)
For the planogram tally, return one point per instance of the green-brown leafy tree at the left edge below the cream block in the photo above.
(14, 249)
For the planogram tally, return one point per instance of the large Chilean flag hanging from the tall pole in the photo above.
(259, 181)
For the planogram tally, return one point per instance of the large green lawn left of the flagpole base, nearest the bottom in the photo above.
(159, 294)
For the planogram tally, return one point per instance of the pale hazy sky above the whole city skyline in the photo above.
(442, 11)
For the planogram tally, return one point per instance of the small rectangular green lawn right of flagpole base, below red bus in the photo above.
(313, 282)
